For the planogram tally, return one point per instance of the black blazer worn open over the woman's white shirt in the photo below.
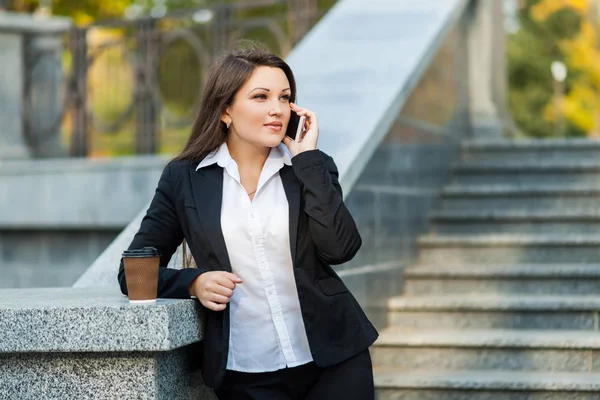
(187, 204)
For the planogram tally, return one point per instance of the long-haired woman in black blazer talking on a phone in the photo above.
(264, 219)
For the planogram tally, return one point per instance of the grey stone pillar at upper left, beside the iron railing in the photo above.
(31, 85)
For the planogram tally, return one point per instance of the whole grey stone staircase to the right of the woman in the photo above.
(503, 302)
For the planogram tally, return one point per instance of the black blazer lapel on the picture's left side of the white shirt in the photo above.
(207, 187)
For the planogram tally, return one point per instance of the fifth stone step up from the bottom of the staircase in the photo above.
(509, 249)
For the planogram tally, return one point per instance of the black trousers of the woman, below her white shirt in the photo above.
(349, 380)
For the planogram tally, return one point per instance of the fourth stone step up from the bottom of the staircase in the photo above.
(546, 279)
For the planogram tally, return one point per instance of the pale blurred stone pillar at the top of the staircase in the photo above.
(487, 69)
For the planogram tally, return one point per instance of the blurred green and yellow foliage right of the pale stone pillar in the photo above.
(555, 30)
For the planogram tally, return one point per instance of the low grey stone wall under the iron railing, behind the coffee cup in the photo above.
(59, 215)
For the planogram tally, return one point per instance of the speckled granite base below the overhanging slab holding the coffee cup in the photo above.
(172, 375)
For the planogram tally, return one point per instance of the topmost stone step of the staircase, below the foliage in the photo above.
(532, 150)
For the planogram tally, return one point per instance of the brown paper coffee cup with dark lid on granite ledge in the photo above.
(141, 274)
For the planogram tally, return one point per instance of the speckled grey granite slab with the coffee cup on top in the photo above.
(94, 320)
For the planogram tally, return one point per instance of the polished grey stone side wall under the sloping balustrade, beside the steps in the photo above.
(400, 184)
